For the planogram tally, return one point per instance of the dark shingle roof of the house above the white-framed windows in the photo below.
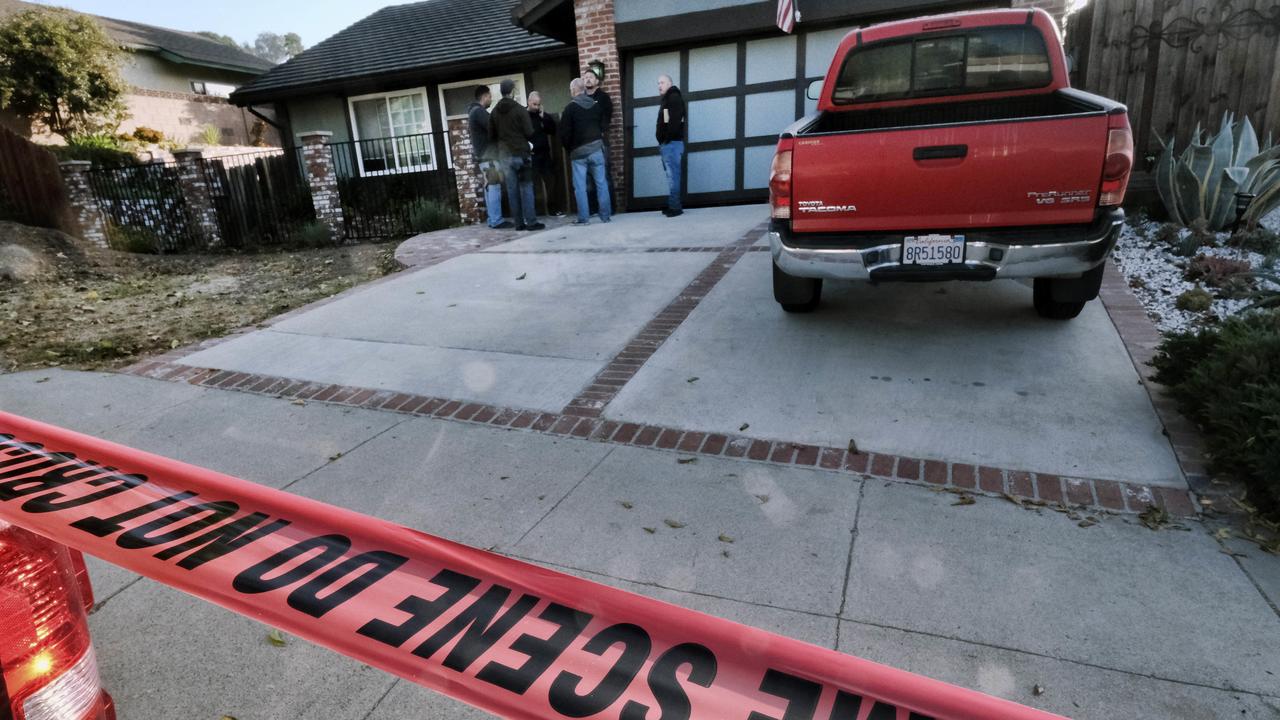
(403, 39)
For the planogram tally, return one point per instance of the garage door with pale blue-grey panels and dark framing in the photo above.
(740, 95)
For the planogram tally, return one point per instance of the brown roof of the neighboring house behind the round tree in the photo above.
(184, 47)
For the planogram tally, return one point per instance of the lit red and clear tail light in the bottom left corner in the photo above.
(48, 671)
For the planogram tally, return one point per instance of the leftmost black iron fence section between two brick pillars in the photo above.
(145, 208)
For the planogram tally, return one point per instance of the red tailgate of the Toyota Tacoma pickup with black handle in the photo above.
(958, 176)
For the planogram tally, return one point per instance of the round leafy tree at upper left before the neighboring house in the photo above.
(62, 70)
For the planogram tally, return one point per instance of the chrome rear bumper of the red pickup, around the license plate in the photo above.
(1030, 253)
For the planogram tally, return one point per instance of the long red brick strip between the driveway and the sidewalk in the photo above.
(1022, 487)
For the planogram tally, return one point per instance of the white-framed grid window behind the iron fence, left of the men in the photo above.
(392, 133)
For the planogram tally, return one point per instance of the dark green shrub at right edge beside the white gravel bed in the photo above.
(1228, 380)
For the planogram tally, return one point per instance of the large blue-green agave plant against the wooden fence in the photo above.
(1203, 183)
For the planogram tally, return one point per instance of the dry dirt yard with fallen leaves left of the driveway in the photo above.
(106, 309)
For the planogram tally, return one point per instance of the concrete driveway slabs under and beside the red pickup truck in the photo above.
(959, 373)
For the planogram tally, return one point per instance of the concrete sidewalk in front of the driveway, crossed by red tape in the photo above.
(1113, 621)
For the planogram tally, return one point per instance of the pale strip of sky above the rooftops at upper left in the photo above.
(243, 20)
